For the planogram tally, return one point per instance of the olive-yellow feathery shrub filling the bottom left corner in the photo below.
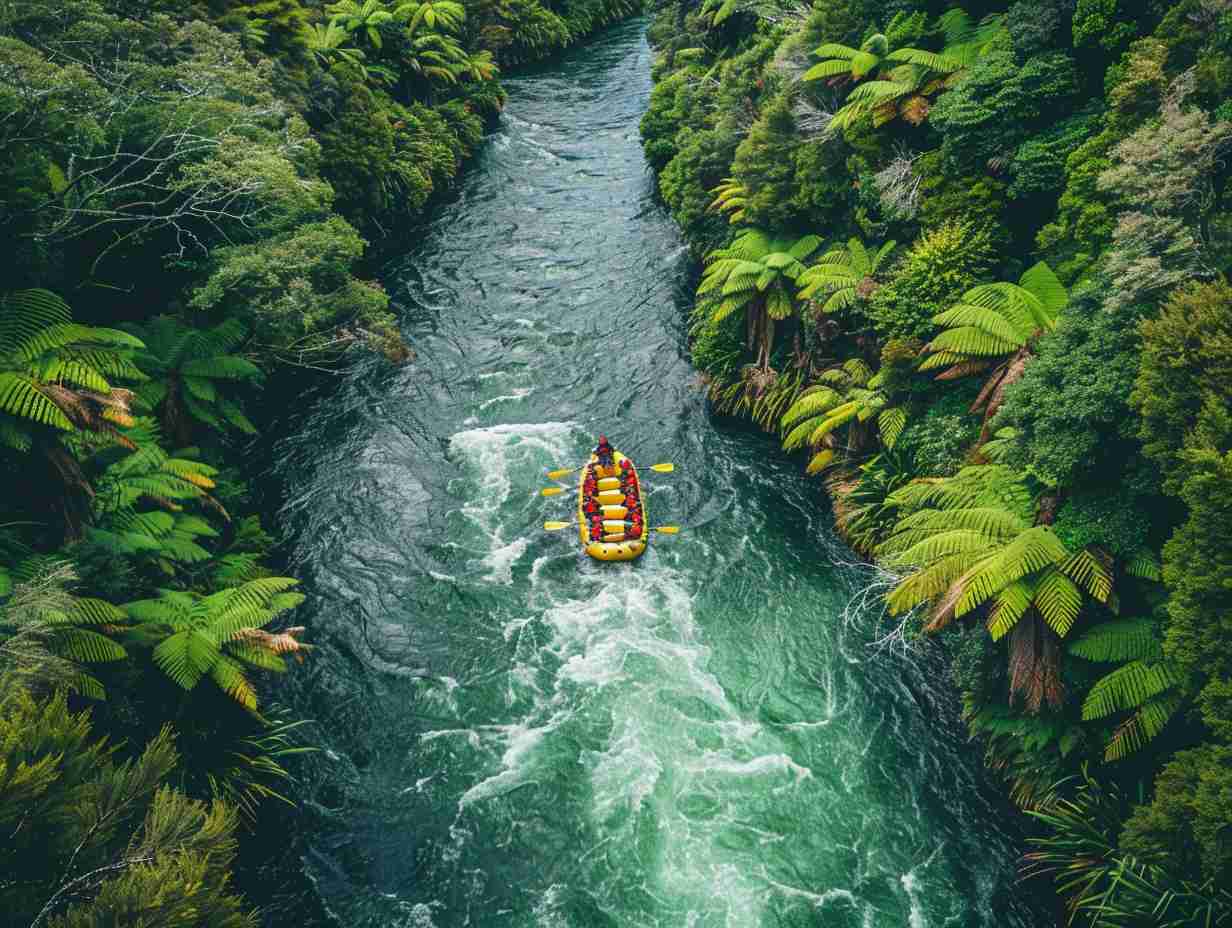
(121, 849)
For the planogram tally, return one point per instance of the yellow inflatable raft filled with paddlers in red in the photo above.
(619, 532)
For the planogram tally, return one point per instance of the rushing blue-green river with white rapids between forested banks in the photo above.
(517, 736)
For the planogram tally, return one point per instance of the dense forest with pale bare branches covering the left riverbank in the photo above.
(188, 197)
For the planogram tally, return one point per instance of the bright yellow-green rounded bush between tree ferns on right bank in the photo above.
(928, 279)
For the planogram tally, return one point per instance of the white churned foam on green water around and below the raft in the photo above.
(624, 648)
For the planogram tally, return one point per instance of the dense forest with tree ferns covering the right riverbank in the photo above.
(974, 263)
